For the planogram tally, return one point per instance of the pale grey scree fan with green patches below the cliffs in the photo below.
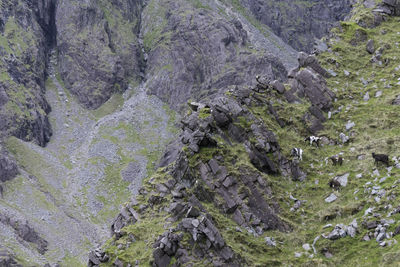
(93, 164)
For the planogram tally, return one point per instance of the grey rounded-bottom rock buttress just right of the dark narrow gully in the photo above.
(98, 47)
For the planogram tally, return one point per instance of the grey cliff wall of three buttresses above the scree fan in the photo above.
(102, 44)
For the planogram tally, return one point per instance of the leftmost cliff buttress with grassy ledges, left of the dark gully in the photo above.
(25, 40)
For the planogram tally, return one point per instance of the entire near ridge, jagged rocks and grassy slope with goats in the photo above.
(229, 191)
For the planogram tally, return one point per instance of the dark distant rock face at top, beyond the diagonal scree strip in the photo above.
(299, 23)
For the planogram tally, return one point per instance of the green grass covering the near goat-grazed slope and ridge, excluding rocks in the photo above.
(376, 130)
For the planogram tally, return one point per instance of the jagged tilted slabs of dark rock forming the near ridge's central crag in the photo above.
(194, 177)
